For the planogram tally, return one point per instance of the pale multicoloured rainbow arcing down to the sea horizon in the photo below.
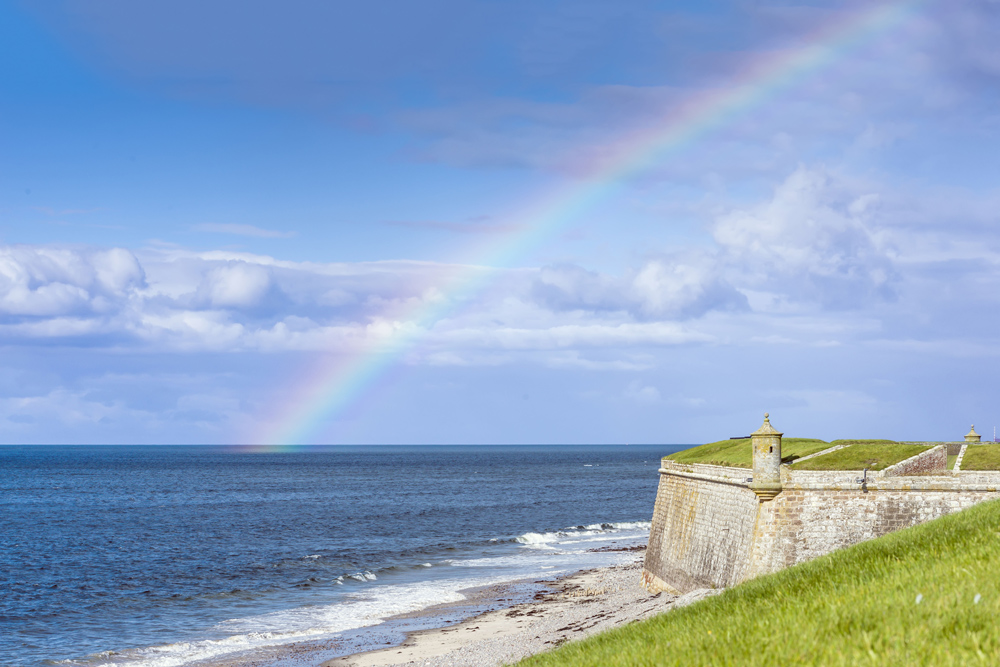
(338, 384)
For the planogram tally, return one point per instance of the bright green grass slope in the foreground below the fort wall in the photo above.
(909, 598)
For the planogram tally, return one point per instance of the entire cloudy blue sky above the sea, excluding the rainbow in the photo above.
(201, 202)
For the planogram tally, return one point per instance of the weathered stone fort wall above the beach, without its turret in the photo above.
(710, 530)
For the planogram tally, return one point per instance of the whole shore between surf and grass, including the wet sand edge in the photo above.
(493, 626)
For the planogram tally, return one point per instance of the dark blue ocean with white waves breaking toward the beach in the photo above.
(166, 556)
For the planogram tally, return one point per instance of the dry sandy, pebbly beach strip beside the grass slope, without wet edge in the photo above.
(573, 608)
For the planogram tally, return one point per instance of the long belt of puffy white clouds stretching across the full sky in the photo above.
(782, 271)
